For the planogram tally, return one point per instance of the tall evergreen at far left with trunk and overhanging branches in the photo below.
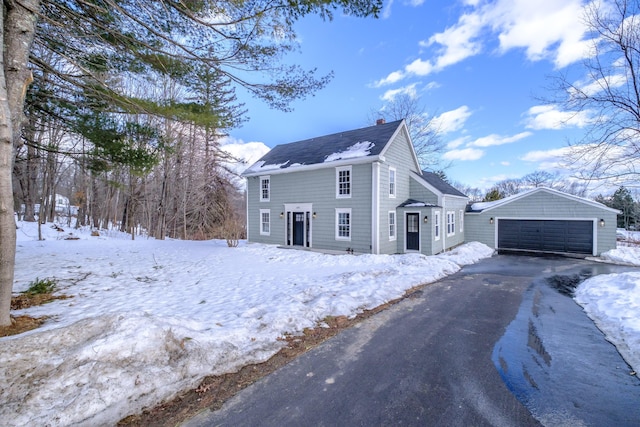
(93, 52)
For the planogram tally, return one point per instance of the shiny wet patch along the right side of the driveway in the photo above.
(558, 364)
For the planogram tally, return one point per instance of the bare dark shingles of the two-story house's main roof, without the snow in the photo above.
(316, 150)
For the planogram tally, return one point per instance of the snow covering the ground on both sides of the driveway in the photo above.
(149, 318)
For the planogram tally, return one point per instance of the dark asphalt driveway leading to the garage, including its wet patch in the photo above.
(481, 347)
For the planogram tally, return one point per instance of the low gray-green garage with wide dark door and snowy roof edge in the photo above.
(543, 220)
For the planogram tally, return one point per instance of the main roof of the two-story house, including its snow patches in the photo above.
(365, 143)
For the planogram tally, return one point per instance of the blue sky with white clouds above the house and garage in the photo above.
(479, 67)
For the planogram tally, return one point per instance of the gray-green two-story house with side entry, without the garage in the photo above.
(360, 191)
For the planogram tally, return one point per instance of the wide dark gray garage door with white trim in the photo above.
(546, 235)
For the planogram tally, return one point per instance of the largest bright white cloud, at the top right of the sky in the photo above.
(546, 29)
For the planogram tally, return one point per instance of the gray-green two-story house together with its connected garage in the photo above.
(363, 191)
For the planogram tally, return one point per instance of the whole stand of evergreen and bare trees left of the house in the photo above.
(123, 103)
